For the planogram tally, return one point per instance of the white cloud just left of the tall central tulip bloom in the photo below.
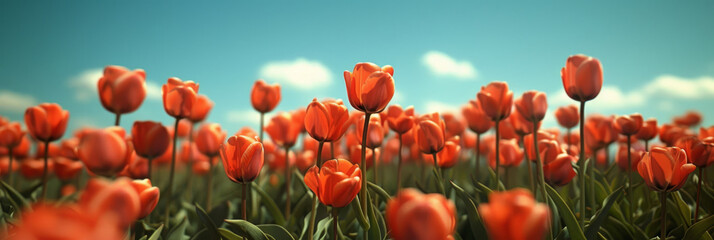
(301, 73)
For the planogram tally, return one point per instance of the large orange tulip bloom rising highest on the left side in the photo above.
(121, 90)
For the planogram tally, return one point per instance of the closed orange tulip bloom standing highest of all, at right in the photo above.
(582, 77)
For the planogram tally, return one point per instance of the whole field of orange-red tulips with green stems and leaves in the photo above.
(357, 168)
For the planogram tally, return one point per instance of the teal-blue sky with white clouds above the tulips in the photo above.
(658, 56)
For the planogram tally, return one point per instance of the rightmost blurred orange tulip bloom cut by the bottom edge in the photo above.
(514, 215)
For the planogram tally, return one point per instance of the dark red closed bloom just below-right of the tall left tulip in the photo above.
(150, 139)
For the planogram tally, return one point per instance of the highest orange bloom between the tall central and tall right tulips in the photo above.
(496, 100)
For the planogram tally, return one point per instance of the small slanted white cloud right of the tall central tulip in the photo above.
(443, 65)
